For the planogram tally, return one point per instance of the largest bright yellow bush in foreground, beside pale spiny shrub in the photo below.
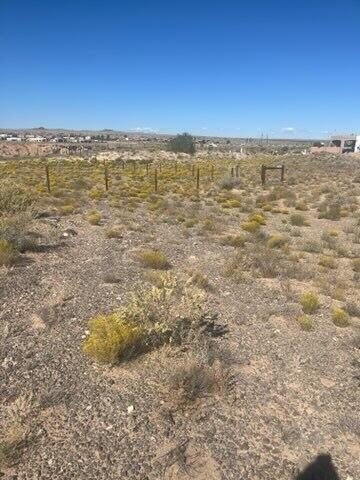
(111, 338)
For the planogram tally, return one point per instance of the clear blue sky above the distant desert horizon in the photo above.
(285, 68)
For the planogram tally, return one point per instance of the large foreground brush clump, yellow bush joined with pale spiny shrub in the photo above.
(165, 313)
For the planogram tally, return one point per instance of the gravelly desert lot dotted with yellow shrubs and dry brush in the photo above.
(193, 325)
